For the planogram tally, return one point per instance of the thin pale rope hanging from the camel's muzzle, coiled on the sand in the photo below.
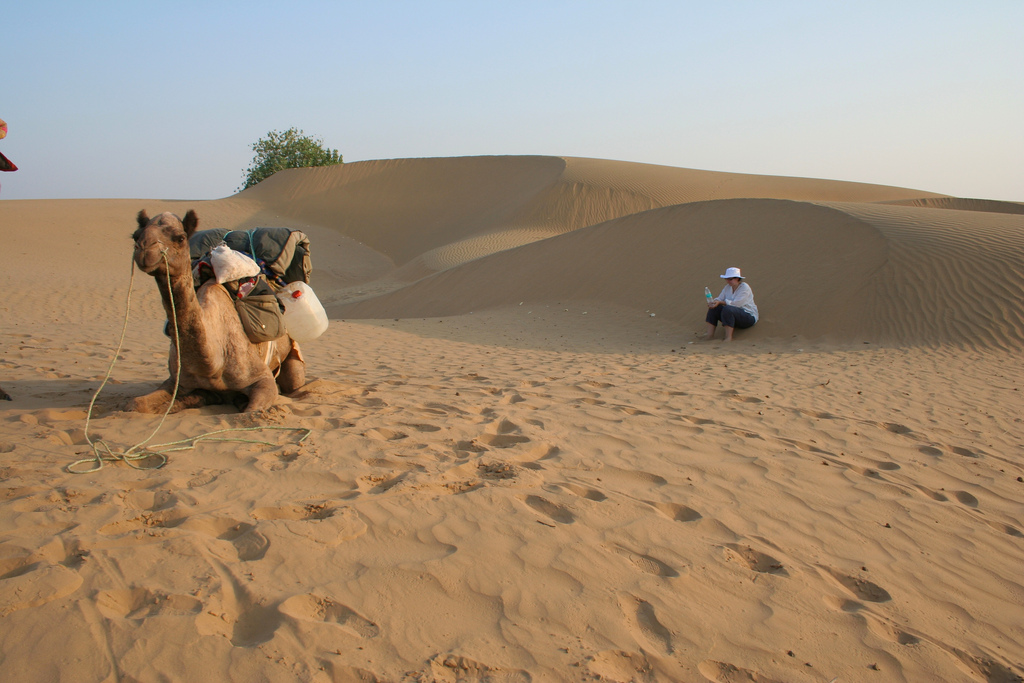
(159, 451)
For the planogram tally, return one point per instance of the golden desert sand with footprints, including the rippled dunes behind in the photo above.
(515, 459)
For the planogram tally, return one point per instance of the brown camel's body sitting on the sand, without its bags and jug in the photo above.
(218, 360)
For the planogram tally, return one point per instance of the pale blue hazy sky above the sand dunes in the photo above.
(149, 100)
